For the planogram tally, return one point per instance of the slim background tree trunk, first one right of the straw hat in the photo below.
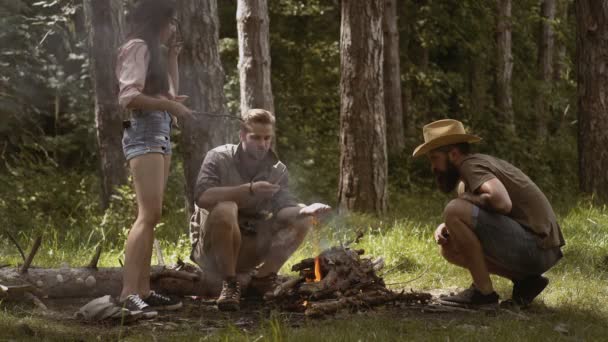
(504, 66)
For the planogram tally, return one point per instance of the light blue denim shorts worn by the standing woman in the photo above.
(147, 132)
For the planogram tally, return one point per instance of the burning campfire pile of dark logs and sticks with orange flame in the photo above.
(338, 279)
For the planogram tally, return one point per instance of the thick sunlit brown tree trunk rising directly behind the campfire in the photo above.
(363, 161)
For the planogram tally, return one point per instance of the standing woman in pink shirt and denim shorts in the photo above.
(148, 80)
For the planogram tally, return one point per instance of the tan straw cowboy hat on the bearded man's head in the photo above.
(441, 133)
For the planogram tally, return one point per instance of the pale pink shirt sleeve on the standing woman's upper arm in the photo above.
(131, 68)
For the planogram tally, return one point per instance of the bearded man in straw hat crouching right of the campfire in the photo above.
(501, 222)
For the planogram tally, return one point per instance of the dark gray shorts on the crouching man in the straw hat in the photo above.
(511, 245)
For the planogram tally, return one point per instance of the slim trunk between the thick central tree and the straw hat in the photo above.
(392, 80)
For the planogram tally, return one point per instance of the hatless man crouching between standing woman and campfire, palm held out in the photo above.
(246, 219)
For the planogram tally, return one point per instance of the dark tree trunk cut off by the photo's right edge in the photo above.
(592, 70)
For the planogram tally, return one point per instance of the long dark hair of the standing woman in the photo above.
(147, 20)
